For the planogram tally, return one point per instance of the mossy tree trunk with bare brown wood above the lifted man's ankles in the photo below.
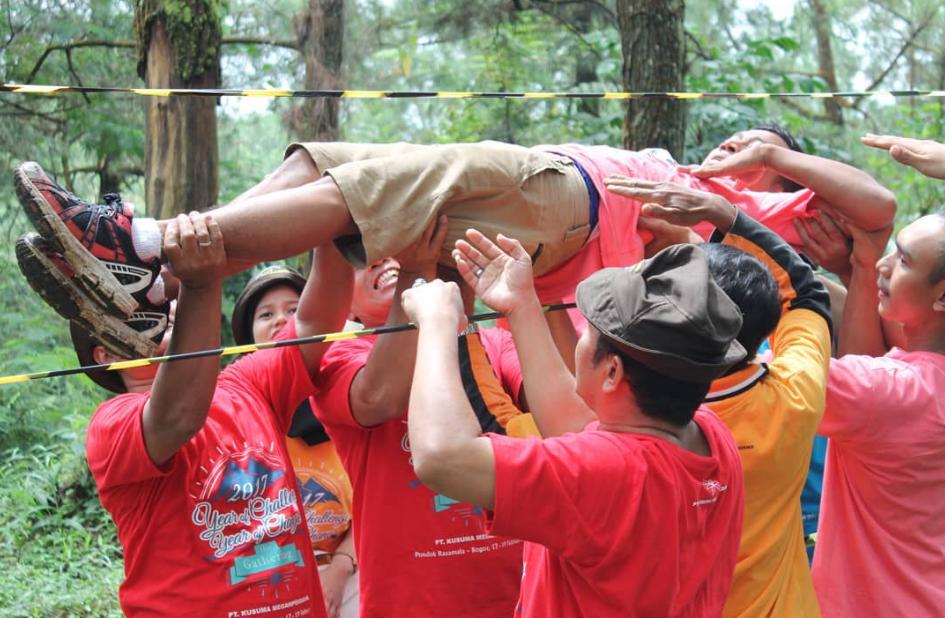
(179, 47)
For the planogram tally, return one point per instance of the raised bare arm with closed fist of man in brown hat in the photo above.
(449, 454)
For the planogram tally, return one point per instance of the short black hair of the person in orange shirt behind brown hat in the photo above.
(752, 287)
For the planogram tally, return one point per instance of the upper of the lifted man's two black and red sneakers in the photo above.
(94, 239)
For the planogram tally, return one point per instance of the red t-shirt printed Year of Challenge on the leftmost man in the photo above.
(218, 530)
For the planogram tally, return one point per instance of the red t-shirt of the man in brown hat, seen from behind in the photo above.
(621, 524)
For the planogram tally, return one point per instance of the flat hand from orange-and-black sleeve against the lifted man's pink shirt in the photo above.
(674, 203)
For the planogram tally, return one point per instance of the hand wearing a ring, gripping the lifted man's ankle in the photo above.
(193, 244)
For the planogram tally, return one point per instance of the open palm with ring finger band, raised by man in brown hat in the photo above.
(500, 272)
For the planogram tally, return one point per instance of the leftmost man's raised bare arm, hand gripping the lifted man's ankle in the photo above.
(182, 391)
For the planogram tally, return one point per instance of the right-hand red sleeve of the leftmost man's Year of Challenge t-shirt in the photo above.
(279, 374)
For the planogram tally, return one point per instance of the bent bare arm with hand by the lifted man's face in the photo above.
(843, 189)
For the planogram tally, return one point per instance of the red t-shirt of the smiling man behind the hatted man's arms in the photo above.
(420, 553)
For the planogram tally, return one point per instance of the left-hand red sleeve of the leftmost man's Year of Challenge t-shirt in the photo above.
(114, 443)
